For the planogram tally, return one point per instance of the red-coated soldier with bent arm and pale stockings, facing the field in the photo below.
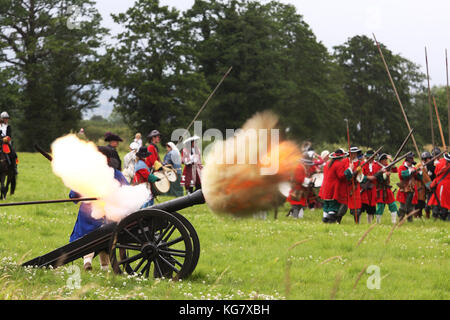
(385, 196)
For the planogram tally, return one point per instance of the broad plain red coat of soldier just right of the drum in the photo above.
(334, 185)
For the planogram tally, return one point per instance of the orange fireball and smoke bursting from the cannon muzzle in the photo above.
(243, 188)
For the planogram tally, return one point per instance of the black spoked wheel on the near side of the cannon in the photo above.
(152, 240)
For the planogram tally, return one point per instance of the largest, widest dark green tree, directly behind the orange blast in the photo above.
(277, 64)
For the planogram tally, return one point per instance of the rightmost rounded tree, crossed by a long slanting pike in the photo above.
(374, 114)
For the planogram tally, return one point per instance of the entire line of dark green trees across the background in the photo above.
(165, 63)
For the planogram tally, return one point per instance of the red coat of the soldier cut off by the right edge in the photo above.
(443, 185)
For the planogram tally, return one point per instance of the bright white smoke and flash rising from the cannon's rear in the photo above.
(85, 170)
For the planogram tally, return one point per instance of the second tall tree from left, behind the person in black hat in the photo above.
(152, 68)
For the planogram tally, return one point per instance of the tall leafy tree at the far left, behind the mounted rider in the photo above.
(55, 62)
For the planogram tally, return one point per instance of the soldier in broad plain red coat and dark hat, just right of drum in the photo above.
(334, 188)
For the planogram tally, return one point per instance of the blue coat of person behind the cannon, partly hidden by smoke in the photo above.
(85, 223)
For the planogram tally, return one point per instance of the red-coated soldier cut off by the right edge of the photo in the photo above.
(440, 187)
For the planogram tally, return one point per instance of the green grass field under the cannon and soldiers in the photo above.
(240, 258)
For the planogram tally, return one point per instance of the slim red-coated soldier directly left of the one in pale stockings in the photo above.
(369, 188)
